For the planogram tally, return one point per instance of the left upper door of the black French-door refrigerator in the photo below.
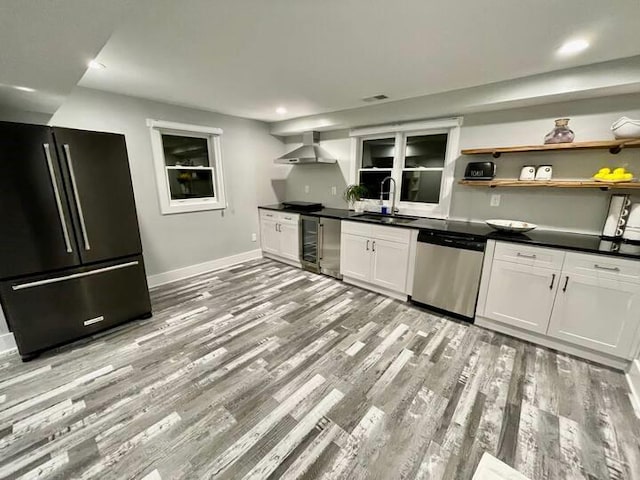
(36, 233)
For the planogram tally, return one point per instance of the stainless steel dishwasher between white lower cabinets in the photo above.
(447, 273)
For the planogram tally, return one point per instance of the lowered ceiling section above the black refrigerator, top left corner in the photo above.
(45, 45)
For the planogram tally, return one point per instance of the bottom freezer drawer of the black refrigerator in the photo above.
(45, 311)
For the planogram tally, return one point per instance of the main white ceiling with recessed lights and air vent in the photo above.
(247, 57)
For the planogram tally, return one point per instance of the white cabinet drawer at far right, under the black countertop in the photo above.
(602, 266)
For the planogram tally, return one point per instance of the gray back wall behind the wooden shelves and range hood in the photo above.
(567, 209)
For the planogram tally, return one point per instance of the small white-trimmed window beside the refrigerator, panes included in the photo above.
(188, 167)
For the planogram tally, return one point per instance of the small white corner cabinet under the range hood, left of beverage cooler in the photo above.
(280, 235)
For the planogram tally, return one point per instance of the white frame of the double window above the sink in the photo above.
(433, 127)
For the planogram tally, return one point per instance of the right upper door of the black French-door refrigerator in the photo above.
(99, 188)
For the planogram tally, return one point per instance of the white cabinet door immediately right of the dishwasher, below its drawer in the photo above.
(521, 295)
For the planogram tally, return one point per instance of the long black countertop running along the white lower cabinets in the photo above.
(541, 238)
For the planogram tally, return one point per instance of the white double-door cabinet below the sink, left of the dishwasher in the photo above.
(376, 255)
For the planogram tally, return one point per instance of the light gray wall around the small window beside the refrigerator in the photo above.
(181, 240)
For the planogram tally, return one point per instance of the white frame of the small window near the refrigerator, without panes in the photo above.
(213, 136)
